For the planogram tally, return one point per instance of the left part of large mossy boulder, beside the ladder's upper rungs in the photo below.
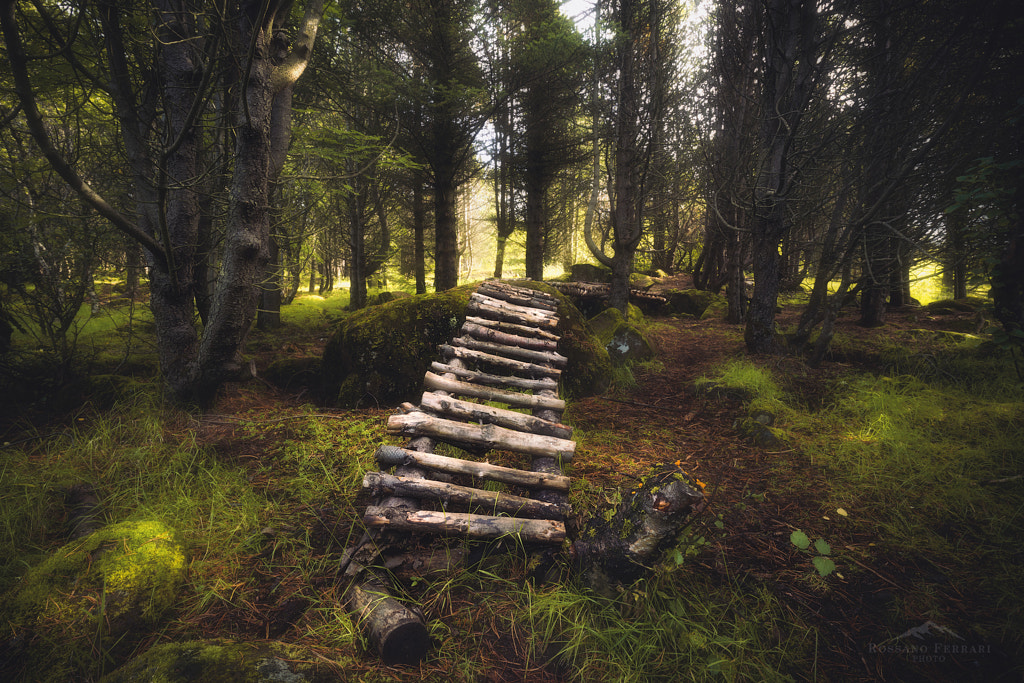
(378, 357)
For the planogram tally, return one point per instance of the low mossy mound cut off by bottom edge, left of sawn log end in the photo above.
(218, 662)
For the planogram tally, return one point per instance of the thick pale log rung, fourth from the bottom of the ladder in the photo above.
(486, 437)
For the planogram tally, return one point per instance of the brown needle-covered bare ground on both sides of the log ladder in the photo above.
(860, 616)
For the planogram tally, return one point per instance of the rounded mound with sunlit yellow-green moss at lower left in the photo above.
(91, 603)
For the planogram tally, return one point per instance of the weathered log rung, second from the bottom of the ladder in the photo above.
(491, 501)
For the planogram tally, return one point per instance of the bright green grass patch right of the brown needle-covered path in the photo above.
(926, 457)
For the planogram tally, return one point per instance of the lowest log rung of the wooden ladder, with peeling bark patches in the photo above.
(475, 527)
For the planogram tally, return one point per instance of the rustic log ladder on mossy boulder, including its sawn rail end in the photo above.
(496, 389)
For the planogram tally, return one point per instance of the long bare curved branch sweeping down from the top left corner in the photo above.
(23, 86)
